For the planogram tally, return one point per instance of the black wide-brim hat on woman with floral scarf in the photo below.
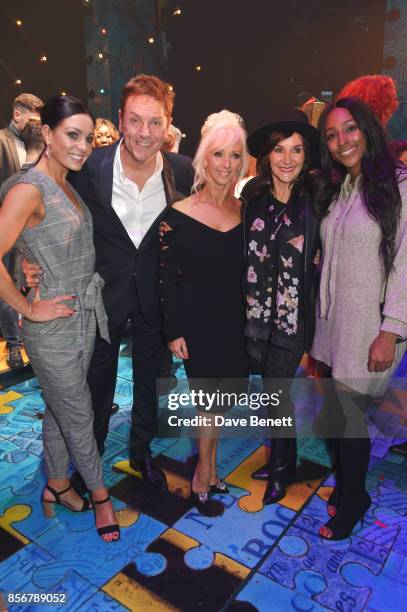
(293, 120)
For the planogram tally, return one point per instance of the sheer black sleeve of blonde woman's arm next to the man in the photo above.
(168, 286)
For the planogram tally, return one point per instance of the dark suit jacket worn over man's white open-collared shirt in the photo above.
(130, 273)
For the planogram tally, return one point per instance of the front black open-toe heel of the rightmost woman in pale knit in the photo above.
(352, 511)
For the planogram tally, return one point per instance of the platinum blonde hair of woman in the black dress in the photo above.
(219, 131)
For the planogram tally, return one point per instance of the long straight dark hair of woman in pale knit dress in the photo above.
(379, 173)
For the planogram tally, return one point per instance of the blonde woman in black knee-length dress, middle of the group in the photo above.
(201, 279)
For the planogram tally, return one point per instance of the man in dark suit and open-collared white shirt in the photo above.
(127, 187)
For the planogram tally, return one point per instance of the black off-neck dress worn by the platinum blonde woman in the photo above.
(202, 298)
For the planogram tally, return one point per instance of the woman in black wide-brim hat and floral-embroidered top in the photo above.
(282, 239)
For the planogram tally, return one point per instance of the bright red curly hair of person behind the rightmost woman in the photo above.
(378, 91)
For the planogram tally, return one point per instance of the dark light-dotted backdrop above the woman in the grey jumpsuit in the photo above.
(50, 27)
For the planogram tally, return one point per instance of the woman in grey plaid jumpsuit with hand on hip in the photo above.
(51, 225)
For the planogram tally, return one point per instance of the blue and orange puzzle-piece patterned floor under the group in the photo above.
(248, 557)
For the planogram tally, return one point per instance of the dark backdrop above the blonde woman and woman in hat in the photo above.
(257, 55)
